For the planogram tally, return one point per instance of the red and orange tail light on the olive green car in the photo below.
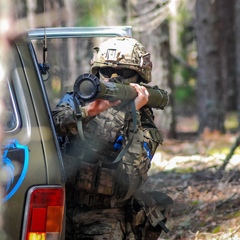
(44, 213)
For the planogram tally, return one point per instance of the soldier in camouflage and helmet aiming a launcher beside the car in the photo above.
(106, 169)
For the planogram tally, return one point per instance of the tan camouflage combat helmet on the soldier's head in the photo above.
(122, 53)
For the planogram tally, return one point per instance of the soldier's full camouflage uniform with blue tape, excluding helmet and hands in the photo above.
(103, 197)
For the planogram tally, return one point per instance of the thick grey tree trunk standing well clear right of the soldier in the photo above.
(209, 83)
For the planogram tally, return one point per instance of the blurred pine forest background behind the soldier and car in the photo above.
(195, 49)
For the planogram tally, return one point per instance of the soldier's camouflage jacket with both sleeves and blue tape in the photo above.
(106, 134)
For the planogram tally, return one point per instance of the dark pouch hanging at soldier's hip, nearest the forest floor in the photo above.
(150, 211)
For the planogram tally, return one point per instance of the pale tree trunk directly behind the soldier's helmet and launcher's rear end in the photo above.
(157, 43)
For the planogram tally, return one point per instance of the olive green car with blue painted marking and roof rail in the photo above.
(34, 187)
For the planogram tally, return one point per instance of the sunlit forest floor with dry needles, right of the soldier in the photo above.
(206, 201)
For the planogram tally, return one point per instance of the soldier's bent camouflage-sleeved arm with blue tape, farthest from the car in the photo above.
(137, 160)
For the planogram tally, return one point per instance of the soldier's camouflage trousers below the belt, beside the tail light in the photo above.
(101, 224)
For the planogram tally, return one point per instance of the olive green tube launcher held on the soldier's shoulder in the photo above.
(88, 88)
